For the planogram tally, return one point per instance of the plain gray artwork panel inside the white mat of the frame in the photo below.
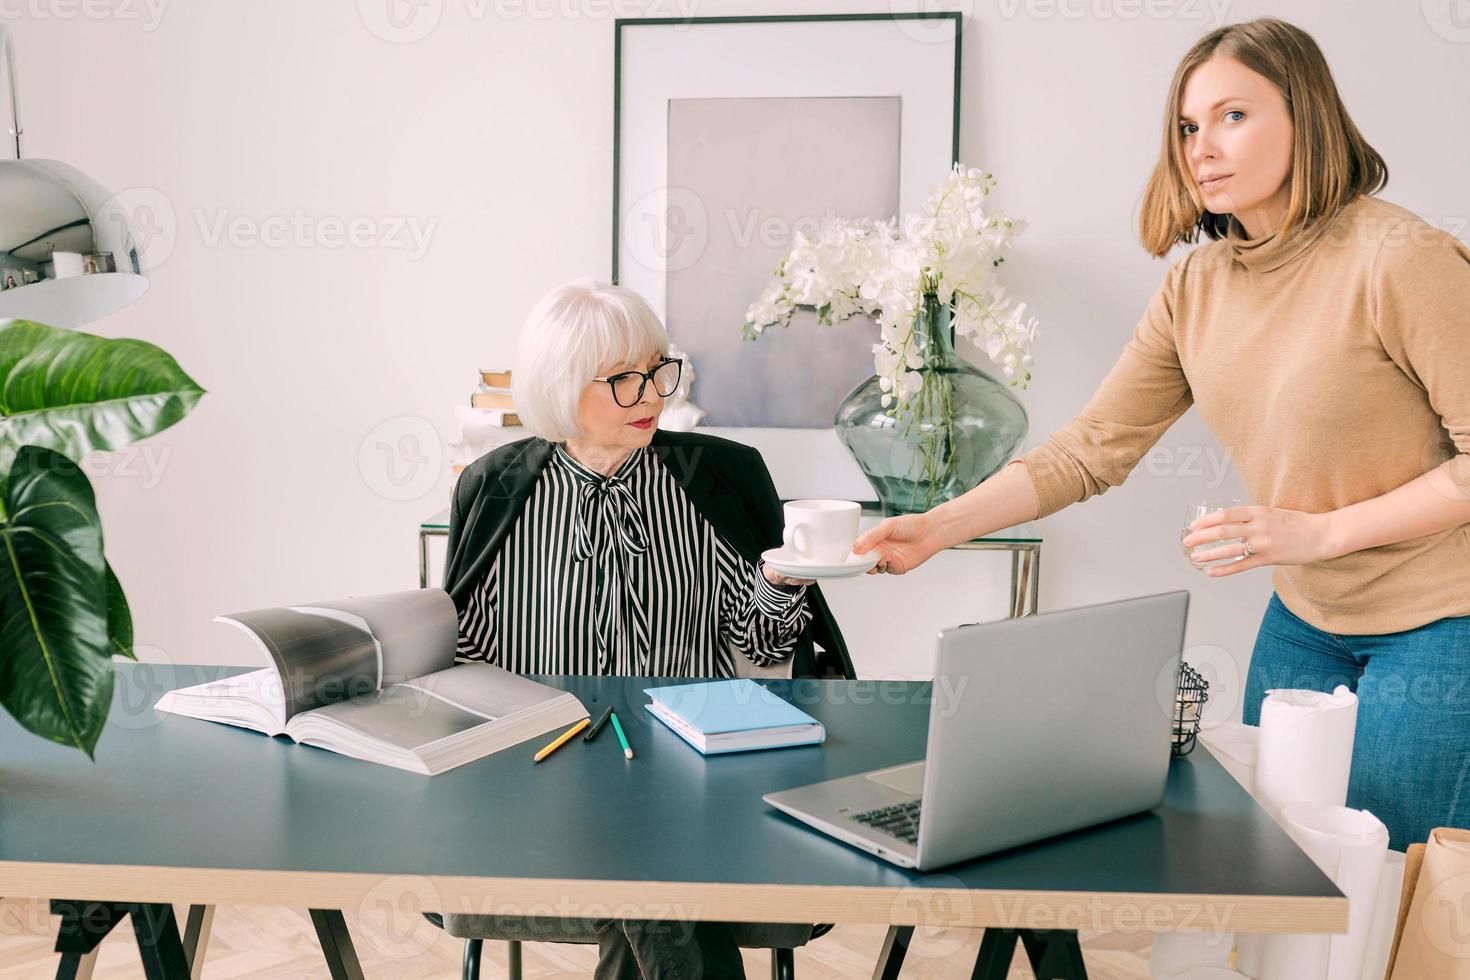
(812, 158)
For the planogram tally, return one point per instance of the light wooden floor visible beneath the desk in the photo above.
(280, 944)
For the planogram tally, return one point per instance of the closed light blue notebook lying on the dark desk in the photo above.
(733, 716)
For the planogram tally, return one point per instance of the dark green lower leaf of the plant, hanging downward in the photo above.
(55, 612)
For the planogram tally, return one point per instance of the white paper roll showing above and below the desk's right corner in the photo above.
(1350, 847)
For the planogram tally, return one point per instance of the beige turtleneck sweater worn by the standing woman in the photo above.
(1334, 368)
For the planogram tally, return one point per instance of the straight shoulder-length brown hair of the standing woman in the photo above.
(1333, 164)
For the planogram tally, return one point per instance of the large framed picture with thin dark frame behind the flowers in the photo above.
(730, 137)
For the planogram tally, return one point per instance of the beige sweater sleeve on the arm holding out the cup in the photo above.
(1141, 397)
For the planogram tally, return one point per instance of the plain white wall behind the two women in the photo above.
(492, 136)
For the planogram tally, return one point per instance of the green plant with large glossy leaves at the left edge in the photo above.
(62, 612)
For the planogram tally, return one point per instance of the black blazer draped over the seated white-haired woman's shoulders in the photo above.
(727, 483)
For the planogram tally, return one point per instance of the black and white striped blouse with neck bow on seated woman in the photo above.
(621, 575)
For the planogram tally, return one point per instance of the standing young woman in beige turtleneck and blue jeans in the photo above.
(1325, 337)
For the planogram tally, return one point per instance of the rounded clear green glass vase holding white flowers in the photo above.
(961, 428)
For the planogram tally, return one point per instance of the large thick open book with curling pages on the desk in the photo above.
(376, 678)
